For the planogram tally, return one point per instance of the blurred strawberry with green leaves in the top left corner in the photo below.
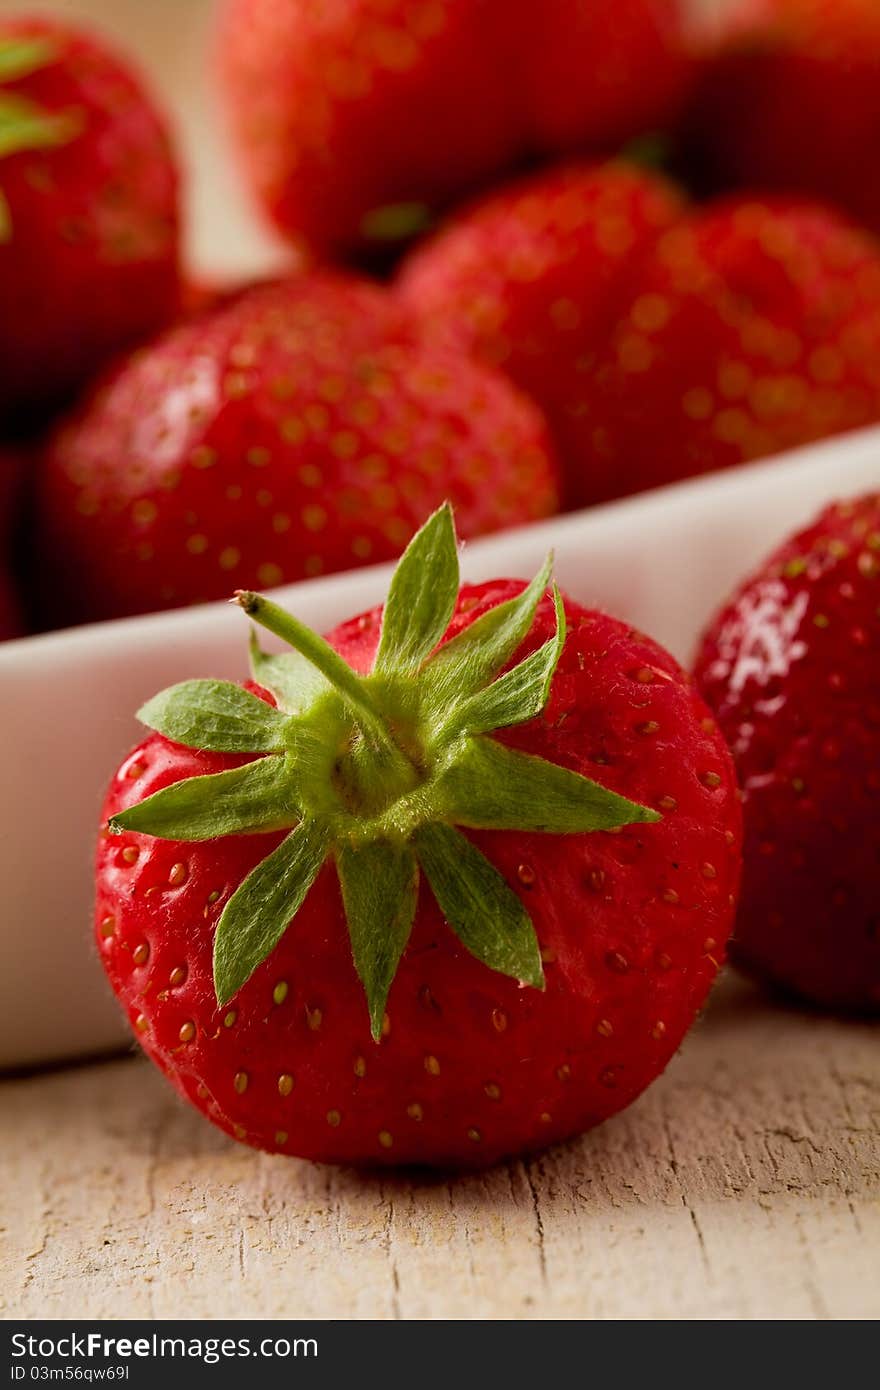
(88, 212)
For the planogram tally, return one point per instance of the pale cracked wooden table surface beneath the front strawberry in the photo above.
(744, 1185)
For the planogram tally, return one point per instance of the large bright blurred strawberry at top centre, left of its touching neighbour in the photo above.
(357, 119)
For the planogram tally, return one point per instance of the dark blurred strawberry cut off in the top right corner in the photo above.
(793, 102)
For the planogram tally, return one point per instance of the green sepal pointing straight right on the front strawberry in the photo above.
(491, 787)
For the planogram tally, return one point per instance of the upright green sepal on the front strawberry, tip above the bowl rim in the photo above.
(422, 597)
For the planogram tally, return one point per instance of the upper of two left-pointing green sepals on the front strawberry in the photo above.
(218, 717)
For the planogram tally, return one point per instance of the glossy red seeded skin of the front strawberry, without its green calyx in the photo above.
(472, 1067)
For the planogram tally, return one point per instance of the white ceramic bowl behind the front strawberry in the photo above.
(661, 561)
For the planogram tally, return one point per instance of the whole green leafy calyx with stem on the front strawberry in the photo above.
(379, 772)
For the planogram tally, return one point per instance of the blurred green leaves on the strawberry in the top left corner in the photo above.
(24, 124)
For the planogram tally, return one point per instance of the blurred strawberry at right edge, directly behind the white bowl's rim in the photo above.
(753, 327)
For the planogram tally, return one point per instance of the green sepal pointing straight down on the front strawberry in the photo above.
(380, 890)
